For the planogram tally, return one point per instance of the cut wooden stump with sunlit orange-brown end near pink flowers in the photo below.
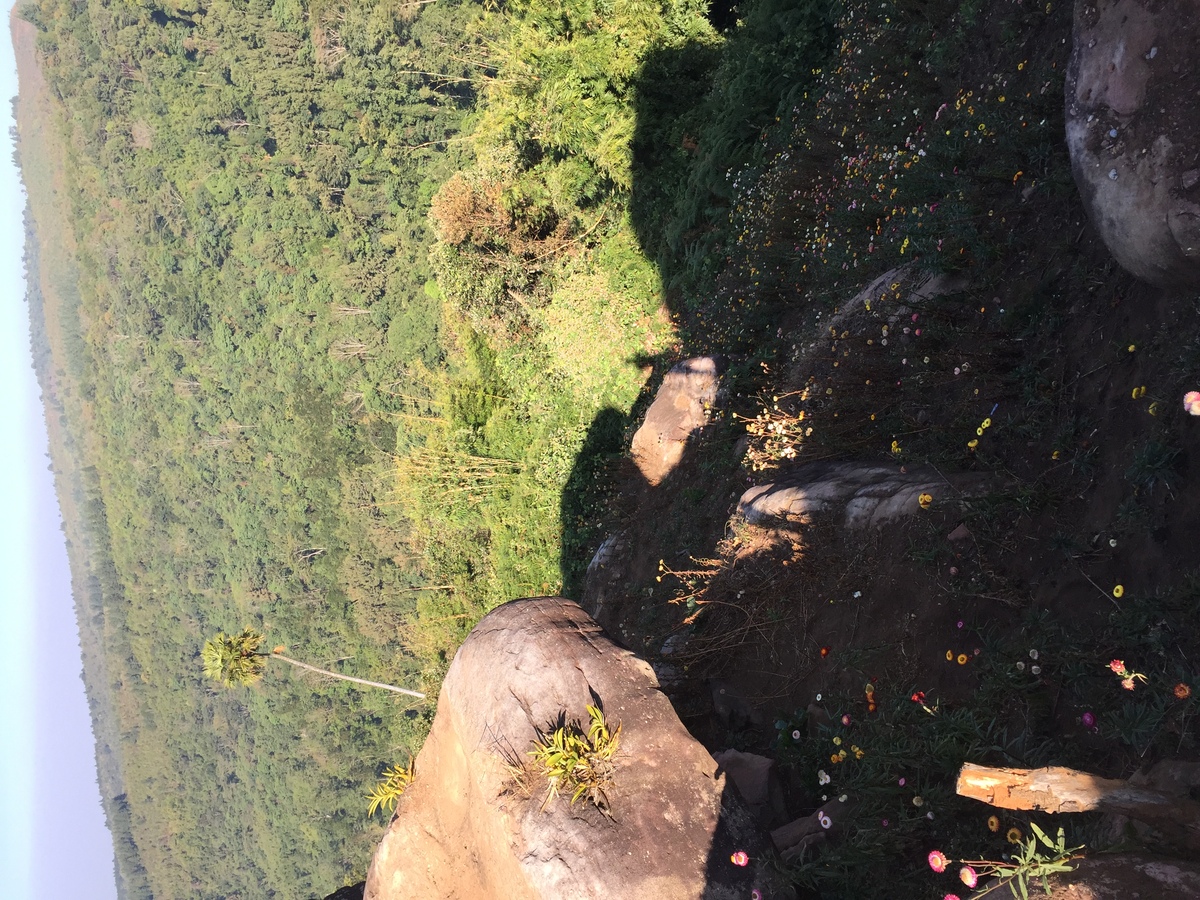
(1057, 789)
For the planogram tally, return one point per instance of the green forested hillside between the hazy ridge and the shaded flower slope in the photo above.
(367, 295)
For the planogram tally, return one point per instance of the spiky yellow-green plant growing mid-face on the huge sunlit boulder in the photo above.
(577, 763)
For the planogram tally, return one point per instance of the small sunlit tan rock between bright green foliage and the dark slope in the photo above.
(681, 407)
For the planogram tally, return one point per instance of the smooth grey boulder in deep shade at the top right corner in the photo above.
(1133, 85)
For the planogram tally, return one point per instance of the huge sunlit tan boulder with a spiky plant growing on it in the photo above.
(471, 827)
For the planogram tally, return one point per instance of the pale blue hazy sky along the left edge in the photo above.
(53, 839)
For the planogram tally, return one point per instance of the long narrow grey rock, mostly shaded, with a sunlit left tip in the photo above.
(865, 495)
